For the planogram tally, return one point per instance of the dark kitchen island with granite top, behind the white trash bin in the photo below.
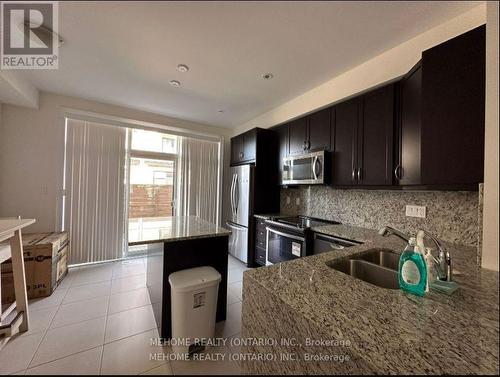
(188, 242)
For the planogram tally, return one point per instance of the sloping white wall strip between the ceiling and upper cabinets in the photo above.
(382, 68)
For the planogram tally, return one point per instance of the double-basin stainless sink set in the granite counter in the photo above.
(375, 266)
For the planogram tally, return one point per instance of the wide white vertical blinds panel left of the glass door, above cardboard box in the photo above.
(94, 205)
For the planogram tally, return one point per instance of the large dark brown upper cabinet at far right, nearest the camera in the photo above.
(441, 134)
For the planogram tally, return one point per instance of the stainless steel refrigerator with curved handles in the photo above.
(239, 219)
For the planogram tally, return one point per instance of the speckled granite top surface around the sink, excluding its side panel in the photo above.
(391, 330)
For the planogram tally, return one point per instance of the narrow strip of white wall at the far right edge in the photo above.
(490, 212)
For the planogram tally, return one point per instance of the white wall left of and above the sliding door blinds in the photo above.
(31, 153)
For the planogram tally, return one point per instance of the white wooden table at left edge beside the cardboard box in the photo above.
(10, 231)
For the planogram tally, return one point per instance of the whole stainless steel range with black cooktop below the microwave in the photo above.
(289, 238)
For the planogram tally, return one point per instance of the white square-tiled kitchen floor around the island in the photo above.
(100, 321)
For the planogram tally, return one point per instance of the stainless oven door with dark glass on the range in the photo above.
(283, 246)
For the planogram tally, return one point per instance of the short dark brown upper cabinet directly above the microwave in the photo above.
(310, 133)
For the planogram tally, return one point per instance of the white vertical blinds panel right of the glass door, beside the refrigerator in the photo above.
(198, 192)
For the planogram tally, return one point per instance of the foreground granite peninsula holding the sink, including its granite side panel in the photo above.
(323, 321)
